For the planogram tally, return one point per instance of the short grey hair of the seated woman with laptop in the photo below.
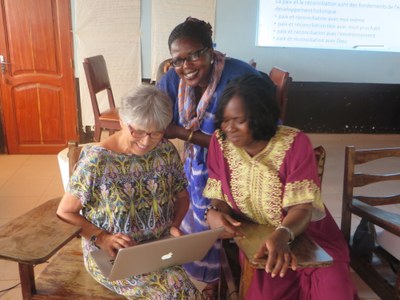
(146, 106)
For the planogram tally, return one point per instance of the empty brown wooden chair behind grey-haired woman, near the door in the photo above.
(98, 81)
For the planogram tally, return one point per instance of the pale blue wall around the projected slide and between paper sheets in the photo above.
(235, 35)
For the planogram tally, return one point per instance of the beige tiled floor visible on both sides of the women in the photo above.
(28, 180)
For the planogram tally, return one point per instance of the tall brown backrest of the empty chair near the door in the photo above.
(98, 80)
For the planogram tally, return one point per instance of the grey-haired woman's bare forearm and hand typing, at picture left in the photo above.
(69, 211)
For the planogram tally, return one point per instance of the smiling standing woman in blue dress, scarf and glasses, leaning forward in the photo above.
(195, 82)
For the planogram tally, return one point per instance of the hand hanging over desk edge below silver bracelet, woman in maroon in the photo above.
(279, 256)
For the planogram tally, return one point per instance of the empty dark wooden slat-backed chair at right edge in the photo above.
(358, 200)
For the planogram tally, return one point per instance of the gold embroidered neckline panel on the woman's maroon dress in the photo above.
(255, 182)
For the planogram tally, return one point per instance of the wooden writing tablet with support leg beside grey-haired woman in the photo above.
(19, 241)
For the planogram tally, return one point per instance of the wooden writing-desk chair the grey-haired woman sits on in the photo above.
(39, 236)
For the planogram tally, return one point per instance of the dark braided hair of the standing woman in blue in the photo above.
(194, 29)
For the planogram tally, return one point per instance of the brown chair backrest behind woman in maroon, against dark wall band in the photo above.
(282, 80)
